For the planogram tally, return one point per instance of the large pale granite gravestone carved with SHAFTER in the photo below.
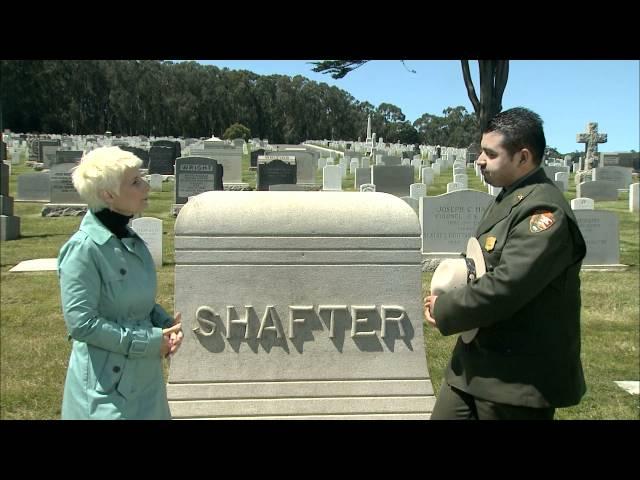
(299, 305)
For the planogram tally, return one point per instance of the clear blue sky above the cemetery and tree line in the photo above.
(567, 94)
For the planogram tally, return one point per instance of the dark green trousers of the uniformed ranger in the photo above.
(454, 404)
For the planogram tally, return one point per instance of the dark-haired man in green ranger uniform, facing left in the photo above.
(524, 360)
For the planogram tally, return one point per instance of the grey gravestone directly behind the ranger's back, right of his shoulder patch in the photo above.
(600, 230)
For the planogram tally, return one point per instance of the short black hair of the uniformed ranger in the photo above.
(521, 128)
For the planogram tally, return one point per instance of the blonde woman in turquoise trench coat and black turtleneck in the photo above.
(108, 289)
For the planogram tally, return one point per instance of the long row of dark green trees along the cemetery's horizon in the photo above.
(162, 98)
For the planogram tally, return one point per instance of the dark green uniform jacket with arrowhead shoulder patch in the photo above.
(527, 305)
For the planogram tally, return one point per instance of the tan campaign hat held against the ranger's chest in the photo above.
(454, 273)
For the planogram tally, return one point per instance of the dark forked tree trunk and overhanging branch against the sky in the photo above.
(493, 80)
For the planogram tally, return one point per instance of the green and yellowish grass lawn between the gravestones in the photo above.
(34, 349)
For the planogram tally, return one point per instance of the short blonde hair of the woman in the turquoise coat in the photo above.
(101, 170)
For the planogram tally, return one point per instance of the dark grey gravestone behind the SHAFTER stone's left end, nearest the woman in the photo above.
(195, 175)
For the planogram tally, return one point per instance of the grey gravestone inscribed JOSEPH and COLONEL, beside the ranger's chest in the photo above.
(448, 220)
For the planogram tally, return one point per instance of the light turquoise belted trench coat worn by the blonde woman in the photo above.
(108, 289)
